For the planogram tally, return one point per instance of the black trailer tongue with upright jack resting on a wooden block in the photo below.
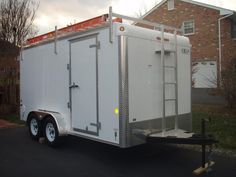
(182, 137)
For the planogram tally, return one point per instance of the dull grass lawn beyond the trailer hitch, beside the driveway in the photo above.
(222, 125)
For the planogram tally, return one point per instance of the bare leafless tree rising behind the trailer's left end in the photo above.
(16, 20)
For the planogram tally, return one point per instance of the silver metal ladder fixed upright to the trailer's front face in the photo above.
(165, 83)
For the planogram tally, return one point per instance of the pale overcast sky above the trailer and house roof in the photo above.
(64, 12)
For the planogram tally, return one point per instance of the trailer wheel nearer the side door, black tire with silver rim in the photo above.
(51, 133)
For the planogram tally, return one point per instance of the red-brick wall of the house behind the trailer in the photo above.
(205, 40)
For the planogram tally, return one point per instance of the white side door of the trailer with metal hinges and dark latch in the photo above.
(84, 85)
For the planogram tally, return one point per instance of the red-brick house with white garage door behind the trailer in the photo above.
(211, 30)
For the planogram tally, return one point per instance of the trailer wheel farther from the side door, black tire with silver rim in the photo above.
(34, 125)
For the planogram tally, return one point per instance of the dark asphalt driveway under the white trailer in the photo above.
(21, 157)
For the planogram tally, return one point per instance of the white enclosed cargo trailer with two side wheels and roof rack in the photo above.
(113, 83)
